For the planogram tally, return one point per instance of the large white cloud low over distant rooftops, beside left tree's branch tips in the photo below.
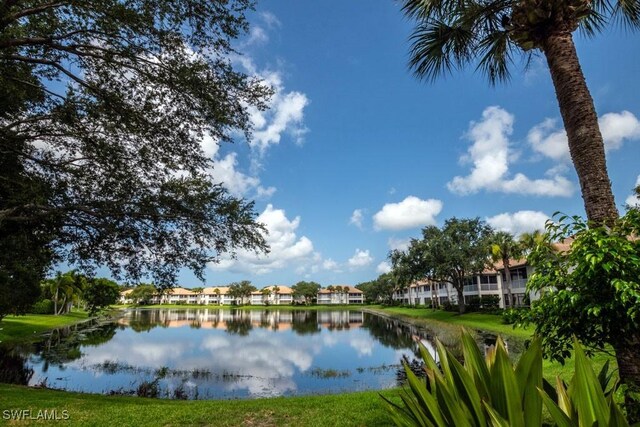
(287, 248)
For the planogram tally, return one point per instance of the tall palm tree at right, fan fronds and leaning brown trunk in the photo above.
(453, 34)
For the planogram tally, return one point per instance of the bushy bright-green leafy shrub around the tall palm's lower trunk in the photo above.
(591, 291)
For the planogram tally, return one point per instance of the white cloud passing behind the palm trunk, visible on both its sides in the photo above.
(549, 138)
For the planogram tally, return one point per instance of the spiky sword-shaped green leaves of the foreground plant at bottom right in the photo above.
(491, 391)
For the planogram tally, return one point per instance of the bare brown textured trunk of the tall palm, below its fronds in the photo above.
(581, 124)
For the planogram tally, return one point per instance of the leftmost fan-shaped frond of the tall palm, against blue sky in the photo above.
(437, 48)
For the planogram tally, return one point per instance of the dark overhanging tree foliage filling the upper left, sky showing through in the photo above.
(103, 105)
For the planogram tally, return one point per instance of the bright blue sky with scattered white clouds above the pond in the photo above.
(356, 154)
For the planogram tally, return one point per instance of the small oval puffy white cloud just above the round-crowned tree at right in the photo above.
(410, 213)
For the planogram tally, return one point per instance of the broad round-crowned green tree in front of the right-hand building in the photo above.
(451, 254)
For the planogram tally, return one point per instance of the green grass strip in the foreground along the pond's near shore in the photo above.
(350, 409)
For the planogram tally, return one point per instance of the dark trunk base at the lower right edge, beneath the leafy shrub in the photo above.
(628, 358)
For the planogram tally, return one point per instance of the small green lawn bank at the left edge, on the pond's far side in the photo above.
(30, 326)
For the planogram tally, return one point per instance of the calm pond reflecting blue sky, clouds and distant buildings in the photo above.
(219, 353)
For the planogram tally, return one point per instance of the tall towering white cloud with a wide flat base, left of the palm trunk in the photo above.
(490, 156)
